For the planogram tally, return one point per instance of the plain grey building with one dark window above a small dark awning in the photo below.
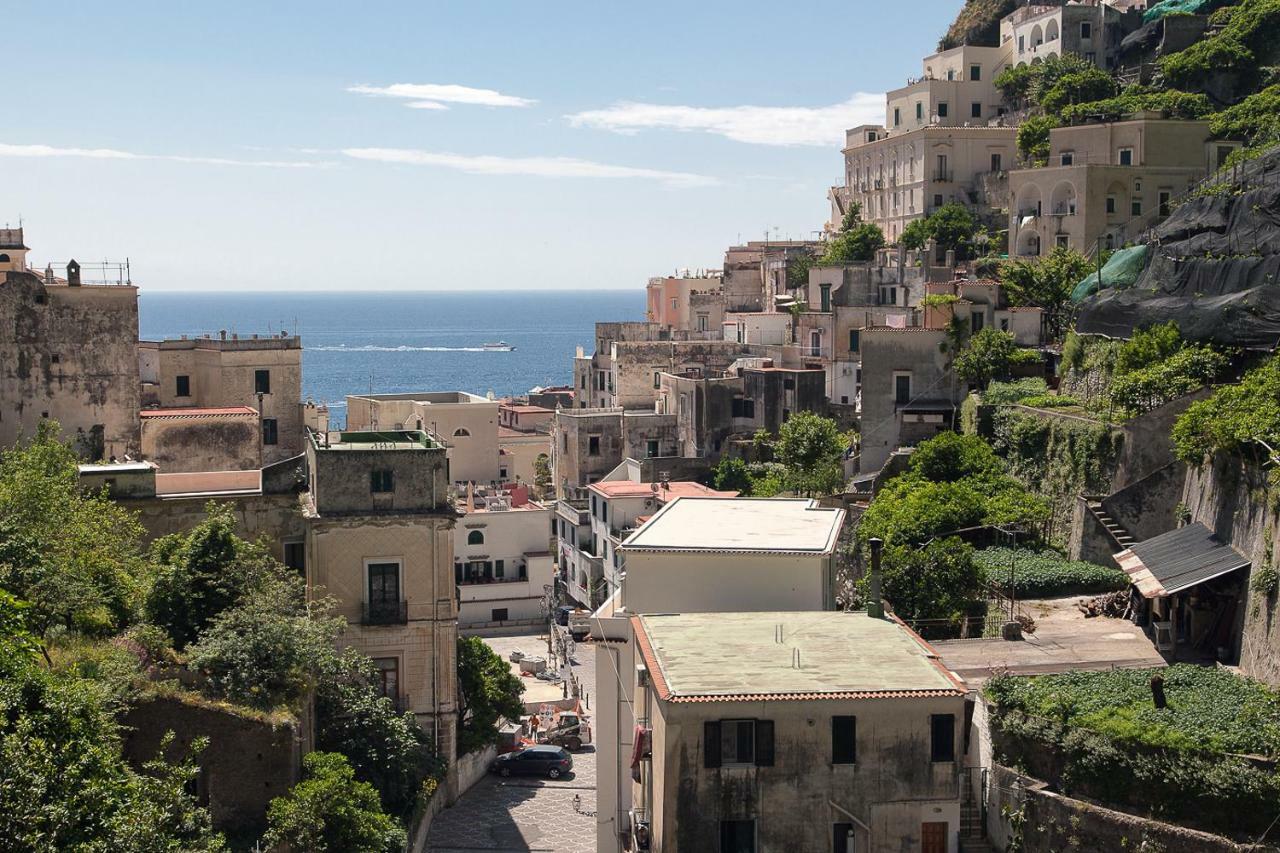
(909, 393)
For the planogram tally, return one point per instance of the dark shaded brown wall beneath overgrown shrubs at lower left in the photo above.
(248, 763)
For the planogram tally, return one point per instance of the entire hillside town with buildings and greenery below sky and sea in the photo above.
(952, 530)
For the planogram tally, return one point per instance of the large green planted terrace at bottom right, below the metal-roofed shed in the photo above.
(1209, 709)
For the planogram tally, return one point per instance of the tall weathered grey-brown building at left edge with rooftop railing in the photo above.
(67, 354)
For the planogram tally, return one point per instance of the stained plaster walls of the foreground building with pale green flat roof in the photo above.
(894, 788)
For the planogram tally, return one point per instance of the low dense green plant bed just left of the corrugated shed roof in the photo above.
(1046, 574)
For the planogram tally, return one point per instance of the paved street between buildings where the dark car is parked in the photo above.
(527, 815)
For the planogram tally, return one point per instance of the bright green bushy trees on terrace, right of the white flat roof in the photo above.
(954, 482)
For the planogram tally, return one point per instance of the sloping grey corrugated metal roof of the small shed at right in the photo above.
(1178, 560)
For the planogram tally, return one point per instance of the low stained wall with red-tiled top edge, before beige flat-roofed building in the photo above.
(204, 444)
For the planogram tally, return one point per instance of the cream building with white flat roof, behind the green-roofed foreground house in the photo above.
(700, 555)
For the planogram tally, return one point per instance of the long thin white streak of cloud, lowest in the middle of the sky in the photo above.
(536, 167)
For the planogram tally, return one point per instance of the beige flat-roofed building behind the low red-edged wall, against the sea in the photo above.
(259, 373)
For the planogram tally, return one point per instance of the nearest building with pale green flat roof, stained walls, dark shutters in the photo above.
(793, 731)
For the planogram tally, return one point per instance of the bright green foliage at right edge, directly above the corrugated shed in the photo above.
(1233, 418)
